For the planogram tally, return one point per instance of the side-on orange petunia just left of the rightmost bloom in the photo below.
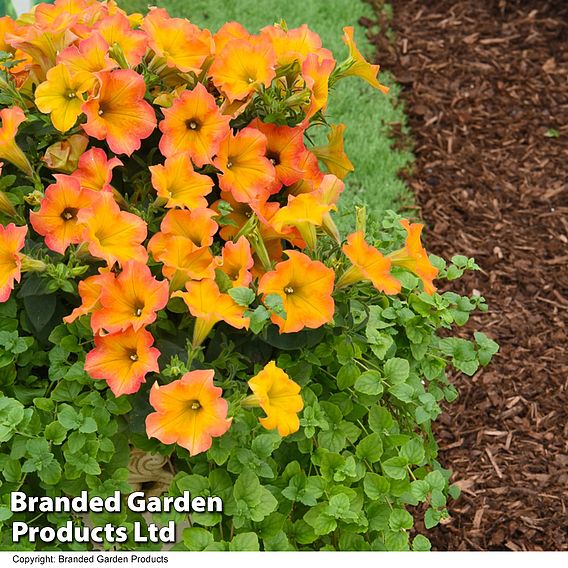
(368, 264)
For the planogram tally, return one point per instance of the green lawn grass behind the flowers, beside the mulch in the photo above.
(366, 112)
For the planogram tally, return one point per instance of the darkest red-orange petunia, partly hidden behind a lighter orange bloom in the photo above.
(285, 149)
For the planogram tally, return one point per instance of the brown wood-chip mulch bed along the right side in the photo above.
(485, 84)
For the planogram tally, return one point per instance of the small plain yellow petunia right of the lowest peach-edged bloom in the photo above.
(279, 397)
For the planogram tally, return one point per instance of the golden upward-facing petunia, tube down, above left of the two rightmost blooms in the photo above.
(305, 212)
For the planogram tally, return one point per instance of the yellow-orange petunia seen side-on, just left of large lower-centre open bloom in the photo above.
(210, 306)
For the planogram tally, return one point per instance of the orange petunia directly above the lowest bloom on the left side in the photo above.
(131, 299)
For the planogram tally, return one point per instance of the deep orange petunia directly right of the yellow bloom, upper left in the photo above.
(119, 114)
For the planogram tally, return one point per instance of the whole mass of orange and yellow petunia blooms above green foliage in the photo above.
(176, 175)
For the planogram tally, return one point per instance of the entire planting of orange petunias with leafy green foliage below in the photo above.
(172, 281)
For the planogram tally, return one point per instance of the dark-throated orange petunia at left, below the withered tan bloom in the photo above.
(56, 219)
